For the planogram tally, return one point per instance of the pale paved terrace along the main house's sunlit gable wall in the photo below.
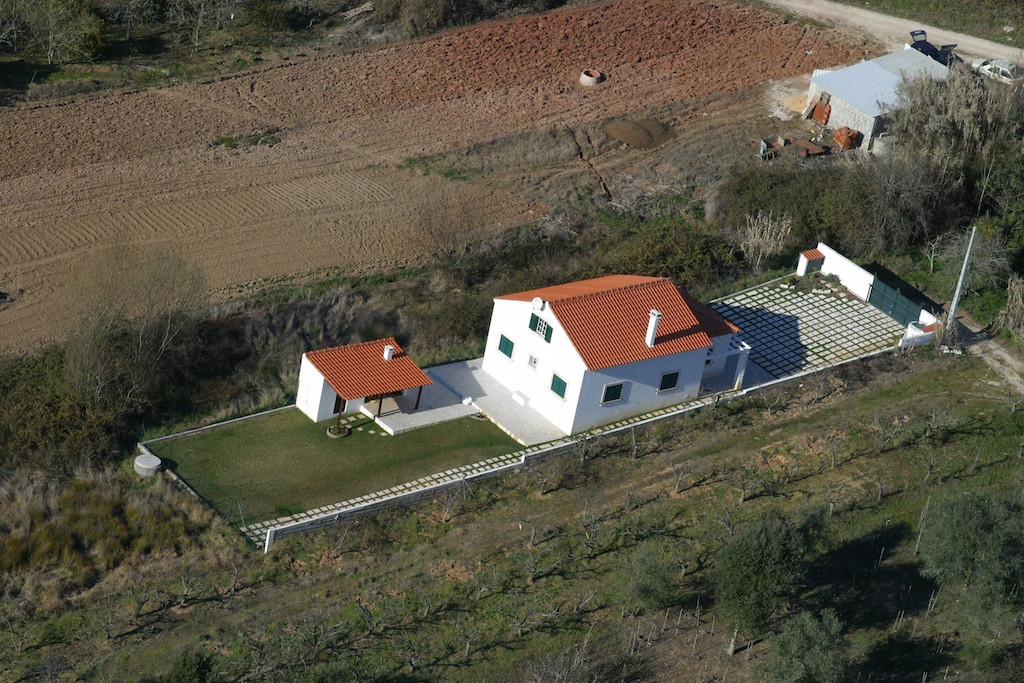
(523, 423)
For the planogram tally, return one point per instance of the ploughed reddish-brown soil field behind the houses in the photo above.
(140, 168)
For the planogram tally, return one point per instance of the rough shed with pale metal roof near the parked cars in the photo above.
(862, 95)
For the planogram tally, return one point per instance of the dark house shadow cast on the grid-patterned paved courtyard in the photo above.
(777, 346)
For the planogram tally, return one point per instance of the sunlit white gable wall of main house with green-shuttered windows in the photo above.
(532, 385)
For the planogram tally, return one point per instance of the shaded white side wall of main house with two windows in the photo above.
(641, 394)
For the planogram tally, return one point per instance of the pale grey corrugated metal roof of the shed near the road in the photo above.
(872, 87)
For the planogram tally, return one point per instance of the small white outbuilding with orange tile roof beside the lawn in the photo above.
(339, 380)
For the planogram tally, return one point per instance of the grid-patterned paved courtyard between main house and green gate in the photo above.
(792, 332)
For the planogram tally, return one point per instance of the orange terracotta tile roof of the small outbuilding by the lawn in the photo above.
(357, 371)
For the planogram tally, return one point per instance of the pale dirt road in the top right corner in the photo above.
(894, 32)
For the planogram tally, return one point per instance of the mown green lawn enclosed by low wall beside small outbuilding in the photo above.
(282, 463)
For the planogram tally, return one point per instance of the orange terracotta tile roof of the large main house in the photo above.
(607, 319)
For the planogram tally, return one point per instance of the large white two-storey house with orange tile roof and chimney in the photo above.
(595, 352)
